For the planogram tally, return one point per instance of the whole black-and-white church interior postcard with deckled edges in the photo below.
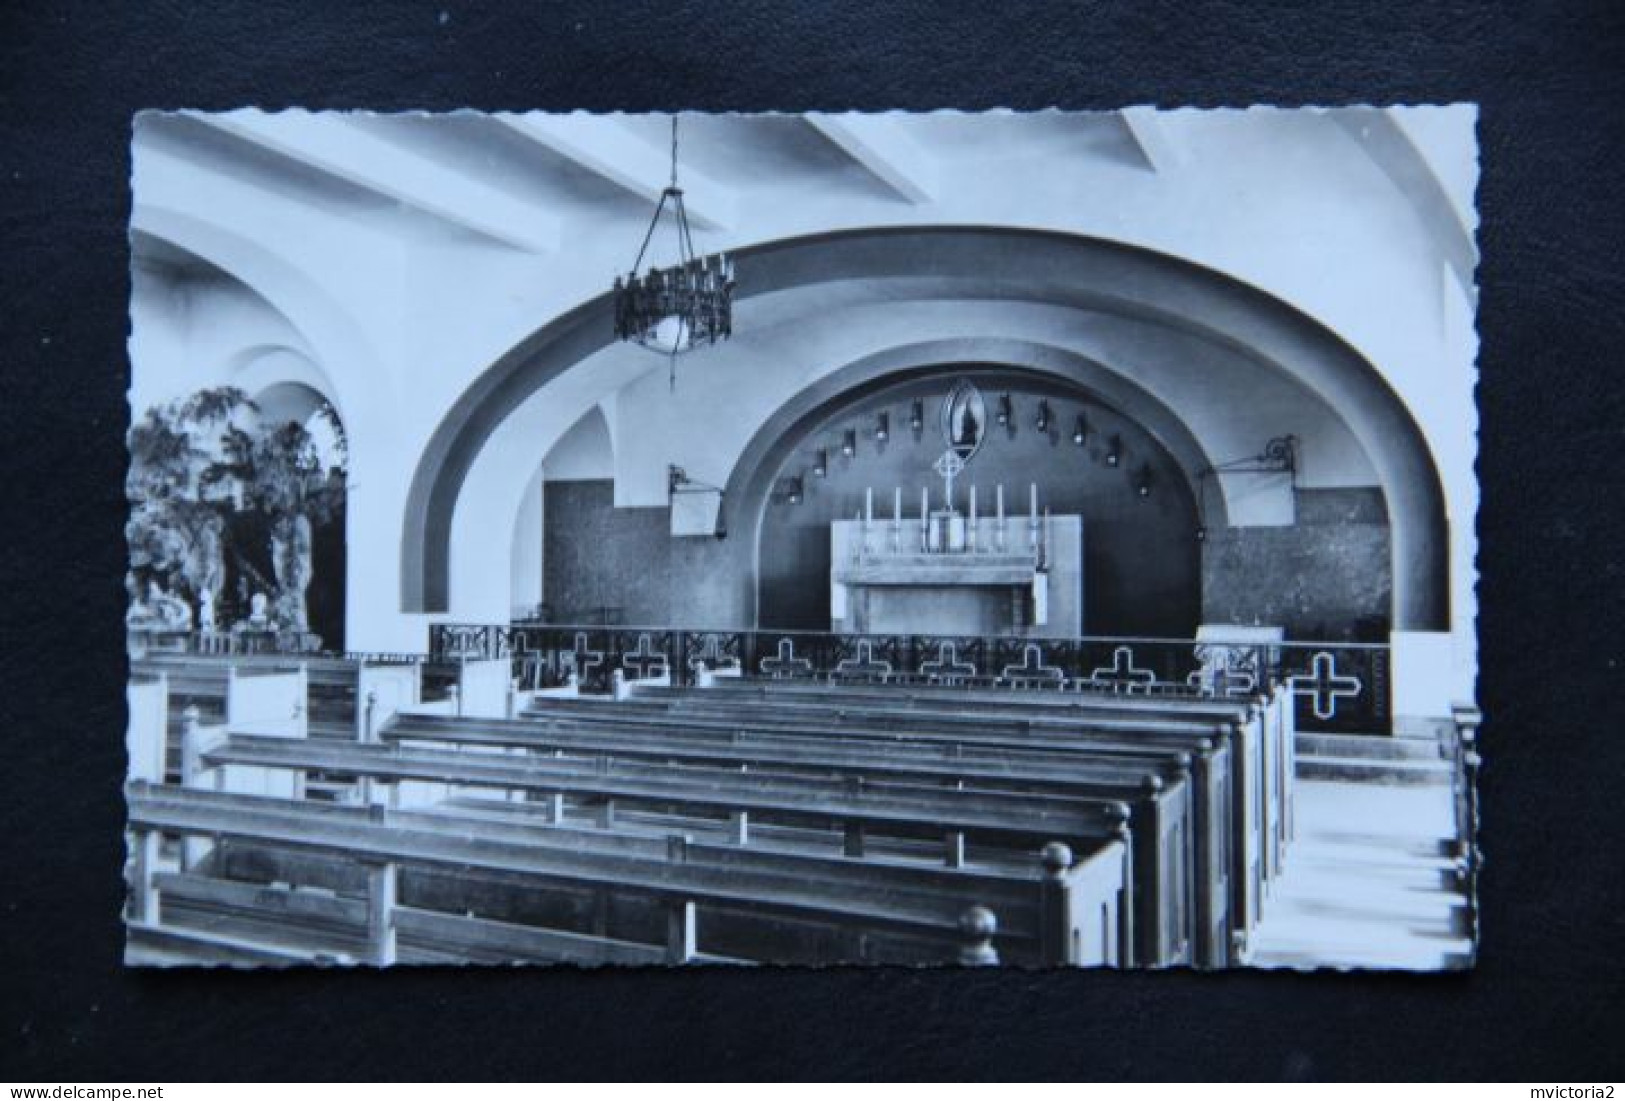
(1012, 538)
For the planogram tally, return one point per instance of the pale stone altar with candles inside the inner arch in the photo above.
(945, 572)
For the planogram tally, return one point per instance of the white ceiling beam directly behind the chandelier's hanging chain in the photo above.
(613, 153)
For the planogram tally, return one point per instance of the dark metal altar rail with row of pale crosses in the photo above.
(1338, 686)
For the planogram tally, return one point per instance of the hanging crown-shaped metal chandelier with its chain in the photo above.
(672, 311)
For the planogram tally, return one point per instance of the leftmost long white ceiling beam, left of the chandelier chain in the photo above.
(336, 145)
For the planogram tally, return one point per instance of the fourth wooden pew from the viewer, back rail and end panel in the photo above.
(1228, 860)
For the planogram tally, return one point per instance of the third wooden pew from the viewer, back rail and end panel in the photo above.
(1158, 788)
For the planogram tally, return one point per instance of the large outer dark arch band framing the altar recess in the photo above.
(1008, 264)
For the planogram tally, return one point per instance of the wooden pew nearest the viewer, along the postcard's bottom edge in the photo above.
(418, 871)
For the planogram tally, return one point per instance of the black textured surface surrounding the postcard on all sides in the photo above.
(1545, 1000)
